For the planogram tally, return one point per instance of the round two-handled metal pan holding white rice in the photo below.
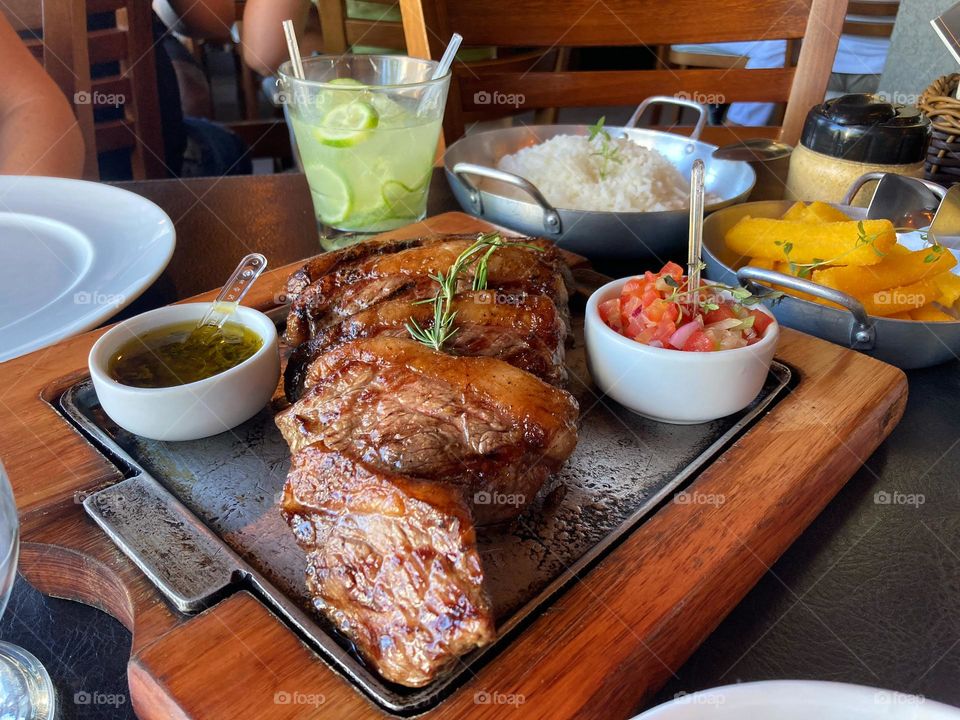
(545, 180)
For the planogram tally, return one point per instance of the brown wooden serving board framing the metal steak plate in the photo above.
(604, 646)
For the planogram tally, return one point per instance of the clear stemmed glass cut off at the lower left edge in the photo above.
(26, 692)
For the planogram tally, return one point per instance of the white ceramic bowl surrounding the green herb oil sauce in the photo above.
(194, 410)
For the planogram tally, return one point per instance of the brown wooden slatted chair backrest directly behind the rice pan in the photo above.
(585, 23)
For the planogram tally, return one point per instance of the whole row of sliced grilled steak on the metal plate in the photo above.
(398, 450)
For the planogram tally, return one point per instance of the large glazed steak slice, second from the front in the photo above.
(478, 424)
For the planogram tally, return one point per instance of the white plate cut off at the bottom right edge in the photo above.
(800, 700)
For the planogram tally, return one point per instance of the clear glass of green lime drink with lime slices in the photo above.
(366, 128)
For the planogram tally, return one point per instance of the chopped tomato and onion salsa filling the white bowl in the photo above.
(657, 310)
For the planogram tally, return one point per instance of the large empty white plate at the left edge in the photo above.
(72, 254)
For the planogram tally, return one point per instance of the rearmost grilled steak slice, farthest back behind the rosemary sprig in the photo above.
(356, 281)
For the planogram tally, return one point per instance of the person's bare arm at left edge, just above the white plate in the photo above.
(39, 134)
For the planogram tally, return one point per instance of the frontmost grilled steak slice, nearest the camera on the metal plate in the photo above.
(391, 561)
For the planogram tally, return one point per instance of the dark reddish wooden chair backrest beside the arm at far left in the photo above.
(119, 110)
